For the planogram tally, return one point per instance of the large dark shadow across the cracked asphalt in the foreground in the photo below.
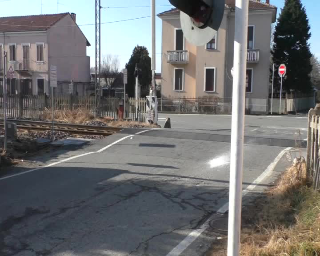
(103, 211)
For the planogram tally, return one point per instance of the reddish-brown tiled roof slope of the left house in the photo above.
(29, 23)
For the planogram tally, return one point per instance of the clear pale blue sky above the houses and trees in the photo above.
(120, 38)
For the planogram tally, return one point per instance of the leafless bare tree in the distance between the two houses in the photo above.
(110, 70)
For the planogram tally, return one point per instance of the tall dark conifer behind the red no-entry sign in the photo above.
(291, 47)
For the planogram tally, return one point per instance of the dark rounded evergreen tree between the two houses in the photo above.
(140, 55)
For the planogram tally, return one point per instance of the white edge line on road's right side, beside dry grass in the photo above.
(183, 245)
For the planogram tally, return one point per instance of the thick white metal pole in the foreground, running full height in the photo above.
(238, 119)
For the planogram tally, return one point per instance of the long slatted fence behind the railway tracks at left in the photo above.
(32, 107)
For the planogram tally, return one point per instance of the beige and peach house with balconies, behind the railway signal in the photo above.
(191, 72)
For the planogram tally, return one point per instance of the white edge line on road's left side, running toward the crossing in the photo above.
(72, 158)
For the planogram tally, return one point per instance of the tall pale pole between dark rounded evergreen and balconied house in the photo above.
(153, 60)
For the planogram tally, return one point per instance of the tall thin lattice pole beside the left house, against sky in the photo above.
(97, 50)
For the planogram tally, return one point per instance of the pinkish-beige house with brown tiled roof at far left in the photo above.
(34, 43)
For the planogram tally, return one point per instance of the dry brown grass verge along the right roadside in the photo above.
(284, 221)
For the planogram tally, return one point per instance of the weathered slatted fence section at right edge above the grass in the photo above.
(313, 153)
